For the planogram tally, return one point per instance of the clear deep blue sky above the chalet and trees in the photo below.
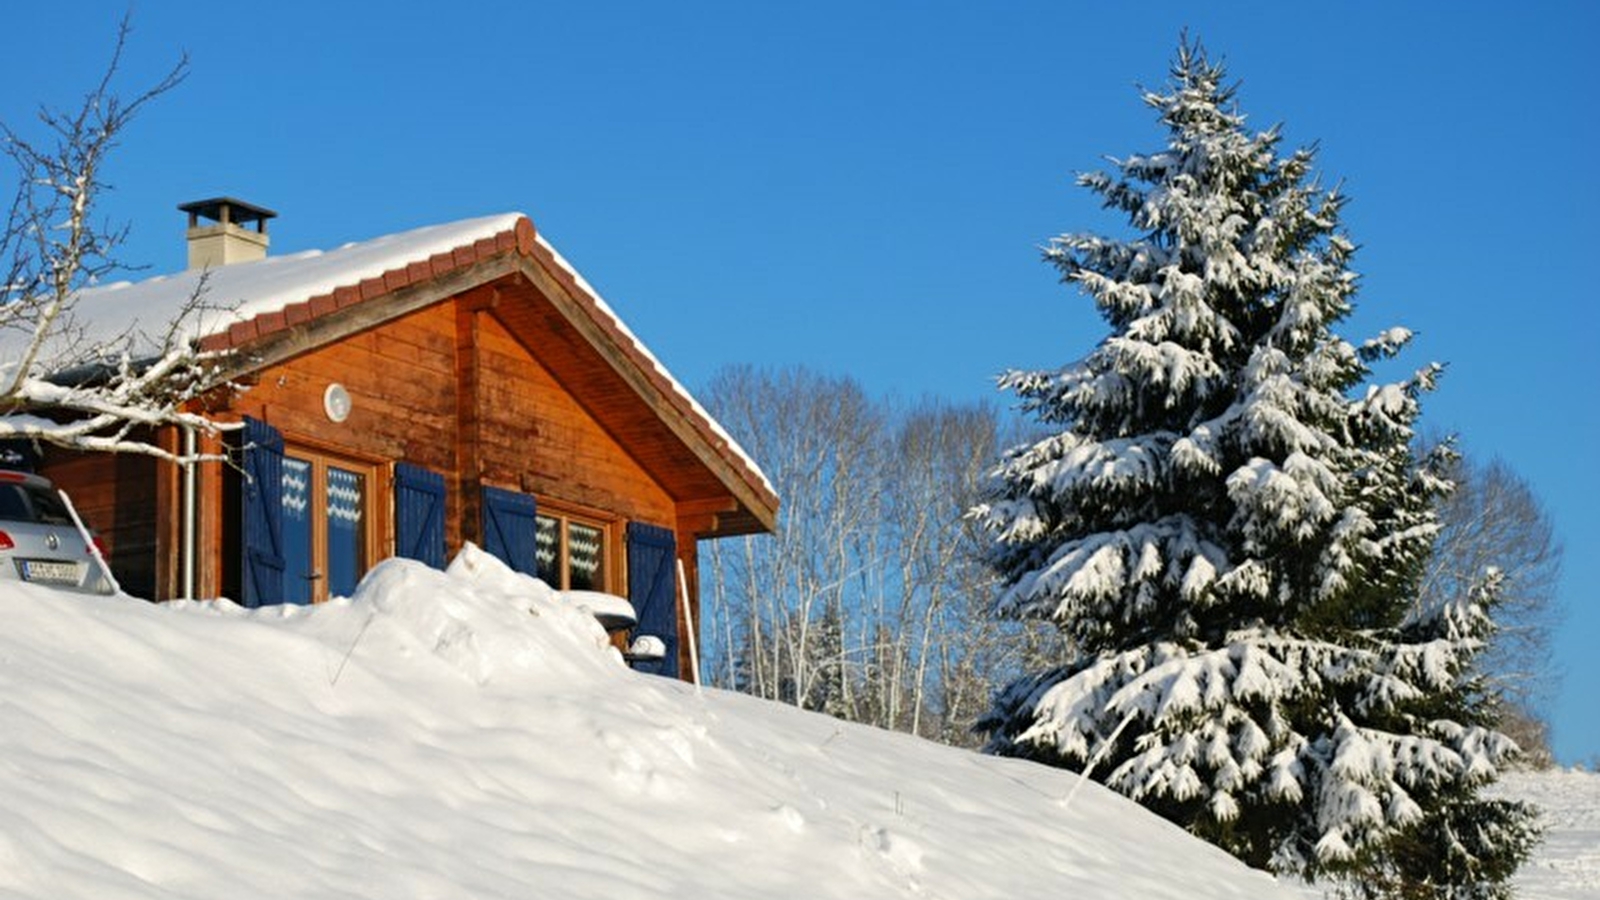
(863, 187)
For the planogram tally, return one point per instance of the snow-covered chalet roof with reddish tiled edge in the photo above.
(250, 300)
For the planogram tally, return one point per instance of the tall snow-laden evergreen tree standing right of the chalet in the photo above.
(1230, 528)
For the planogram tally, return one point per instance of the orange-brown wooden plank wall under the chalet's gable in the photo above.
(452, 390)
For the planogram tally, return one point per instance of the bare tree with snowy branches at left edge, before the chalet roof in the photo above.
(58, 385)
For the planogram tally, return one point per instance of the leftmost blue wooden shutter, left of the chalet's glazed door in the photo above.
(262, 507)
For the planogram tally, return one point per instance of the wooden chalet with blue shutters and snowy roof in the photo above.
(399, 398)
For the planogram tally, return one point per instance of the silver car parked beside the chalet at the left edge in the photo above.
(39, 542)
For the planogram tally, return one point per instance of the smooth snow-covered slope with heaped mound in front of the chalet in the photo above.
(470, 736)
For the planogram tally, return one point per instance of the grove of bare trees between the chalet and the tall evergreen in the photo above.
(871, 601)
